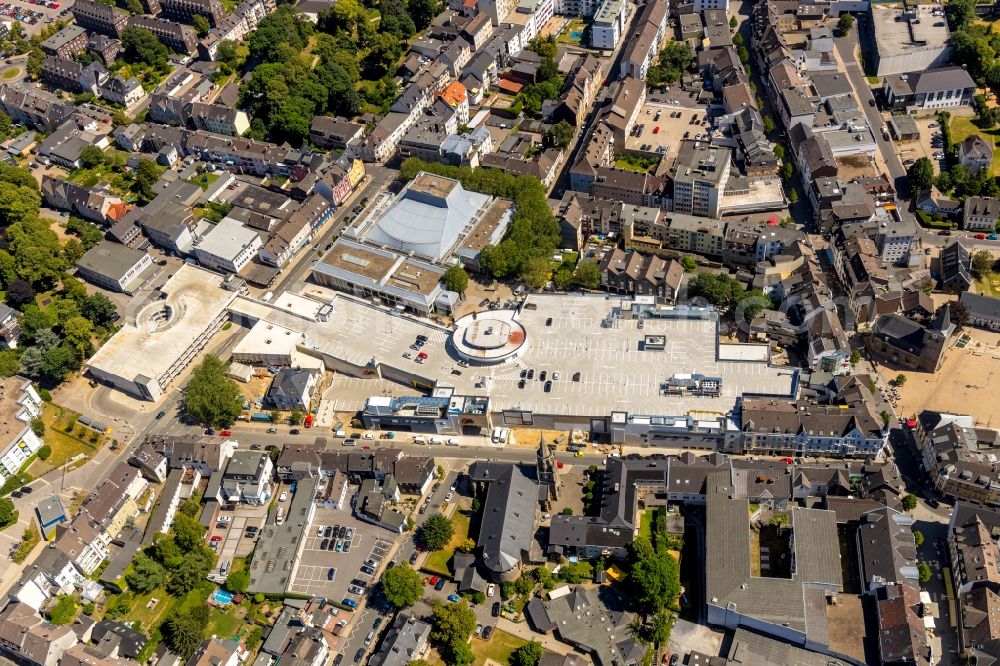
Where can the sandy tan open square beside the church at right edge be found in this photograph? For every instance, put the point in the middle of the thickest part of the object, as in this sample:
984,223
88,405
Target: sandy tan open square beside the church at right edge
962,386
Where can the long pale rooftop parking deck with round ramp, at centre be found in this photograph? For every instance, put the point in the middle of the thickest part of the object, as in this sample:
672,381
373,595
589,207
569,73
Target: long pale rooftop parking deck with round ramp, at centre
615,371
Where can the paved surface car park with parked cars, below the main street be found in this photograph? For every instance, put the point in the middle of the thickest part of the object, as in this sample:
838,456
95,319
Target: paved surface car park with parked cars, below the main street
367,542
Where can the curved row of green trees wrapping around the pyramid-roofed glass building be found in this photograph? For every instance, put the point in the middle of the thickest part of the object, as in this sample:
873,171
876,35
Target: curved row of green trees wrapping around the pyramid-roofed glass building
534,231
